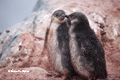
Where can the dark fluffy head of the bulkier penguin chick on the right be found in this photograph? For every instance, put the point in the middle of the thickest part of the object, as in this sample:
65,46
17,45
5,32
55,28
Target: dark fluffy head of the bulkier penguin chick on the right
77,18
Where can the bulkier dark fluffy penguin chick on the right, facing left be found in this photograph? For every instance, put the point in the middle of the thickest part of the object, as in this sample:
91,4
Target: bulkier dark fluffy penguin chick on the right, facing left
86,51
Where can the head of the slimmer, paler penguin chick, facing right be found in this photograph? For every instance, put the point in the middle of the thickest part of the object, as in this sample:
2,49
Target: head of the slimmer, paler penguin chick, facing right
58,16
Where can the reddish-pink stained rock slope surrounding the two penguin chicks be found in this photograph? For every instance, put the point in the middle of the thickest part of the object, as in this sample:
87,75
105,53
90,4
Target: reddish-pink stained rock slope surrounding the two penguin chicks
21,46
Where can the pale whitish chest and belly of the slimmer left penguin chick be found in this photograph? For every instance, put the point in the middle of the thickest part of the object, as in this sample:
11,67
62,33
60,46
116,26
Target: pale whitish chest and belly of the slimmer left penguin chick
53,46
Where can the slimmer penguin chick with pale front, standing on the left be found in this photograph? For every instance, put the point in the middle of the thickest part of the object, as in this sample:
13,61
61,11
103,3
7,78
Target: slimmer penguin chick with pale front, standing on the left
58,45
